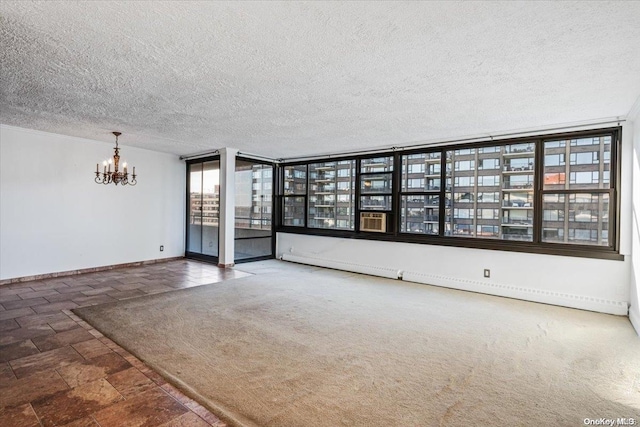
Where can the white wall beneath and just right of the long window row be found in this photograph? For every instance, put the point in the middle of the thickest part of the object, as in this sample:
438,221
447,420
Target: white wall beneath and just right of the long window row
591,284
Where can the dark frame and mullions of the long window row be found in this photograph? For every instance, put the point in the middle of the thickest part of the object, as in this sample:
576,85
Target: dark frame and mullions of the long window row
536,246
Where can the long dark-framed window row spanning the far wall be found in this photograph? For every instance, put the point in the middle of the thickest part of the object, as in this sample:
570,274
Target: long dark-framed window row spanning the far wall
549,194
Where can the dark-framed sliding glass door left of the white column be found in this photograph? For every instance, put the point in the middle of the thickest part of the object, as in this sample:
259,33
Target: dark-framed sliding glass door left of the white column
203,208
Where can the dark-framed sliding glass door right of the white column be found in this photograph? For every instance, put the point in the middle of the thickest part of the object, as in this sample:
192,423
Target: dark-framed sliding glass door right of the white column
253,213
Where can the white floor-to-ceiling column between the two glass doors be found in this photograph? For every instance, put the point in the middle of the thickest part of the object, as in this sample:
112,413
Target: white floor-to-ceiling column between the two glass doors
227,206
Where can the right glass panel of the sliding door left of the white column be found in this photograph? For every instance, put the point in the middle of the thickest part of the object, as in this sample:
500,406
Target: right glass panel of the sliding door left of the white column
210,207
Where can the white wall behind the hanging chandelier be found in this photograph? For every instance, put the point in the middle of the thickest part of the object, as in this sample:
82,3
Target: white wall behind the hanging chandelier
54,218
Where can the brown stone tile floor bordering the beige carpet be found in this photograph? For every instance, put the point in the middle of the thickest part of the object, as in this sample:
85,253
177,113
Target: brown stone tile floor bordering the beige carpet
55,369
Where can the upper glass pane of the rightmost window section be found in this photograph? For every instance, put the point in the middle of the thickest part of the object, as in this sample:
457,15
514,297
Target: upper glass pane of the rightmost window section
583,163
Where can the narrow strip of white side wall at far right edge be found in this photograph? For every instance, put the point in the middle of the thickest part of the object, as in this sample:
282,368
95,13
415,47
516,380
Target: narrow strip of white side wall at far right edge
634,291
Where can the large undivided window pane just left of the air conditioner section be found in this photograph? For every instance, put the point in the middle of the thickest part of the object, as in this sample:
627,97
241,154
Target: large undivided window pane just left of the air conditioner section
331,195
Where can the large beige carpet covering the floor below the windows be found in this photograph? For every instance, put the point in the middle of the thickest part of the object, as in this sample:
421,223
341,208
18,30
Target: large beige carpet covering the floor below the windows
300,346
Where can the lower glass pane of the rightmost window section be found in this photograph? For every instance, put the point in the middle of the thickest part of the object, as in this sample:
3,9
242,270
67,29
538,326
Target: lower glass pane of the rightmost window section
578,218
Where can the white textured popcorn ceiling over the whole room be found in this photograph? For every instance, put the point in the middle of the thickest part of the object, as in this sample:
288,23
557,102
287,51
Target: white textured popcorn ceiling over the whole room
283,79
